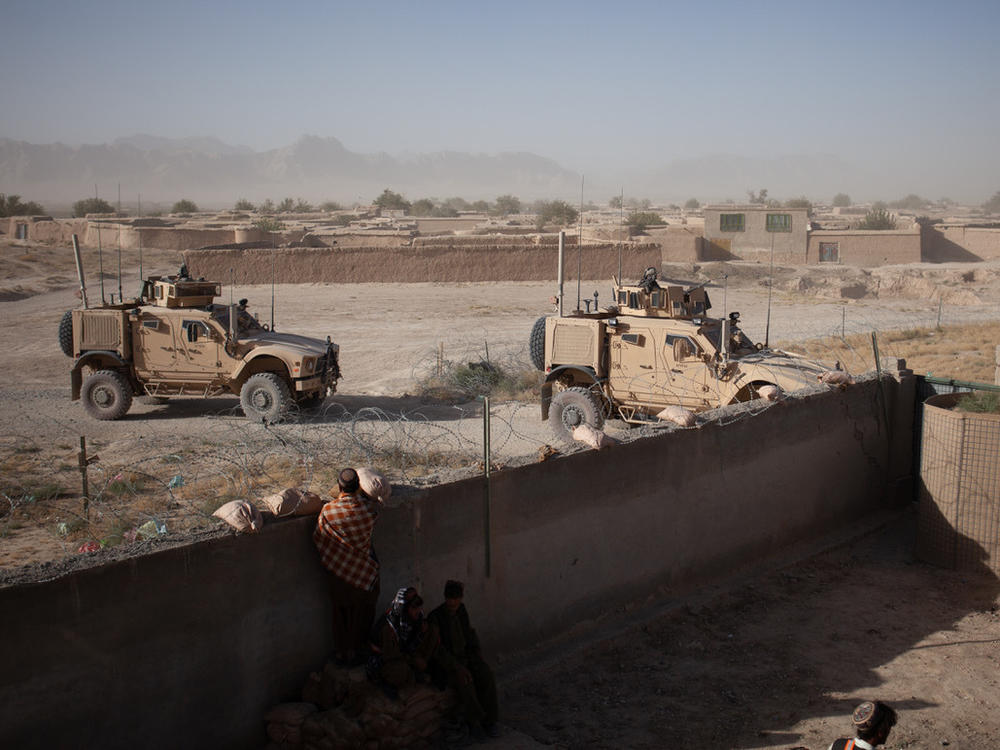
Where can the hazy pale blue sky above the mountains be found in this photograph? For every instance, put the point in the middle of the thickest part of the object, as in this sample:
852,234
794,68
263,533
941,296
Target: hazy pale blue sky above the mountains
592,85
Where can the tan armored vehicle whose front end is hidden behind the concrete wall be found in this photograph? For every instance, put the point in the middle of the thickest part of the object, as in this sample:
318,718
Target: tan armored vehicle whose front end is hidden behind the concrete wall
655,347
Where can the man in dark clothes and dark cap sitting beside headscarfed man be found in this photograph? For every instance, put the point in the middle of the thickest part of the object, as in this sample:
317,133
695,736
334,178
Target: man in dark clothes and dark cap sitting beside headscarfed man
458,662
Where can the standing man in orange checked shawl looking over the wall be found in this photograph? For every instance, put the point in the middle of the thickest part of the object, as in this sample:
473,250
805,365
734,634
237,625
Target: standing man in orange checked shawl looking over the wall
343,536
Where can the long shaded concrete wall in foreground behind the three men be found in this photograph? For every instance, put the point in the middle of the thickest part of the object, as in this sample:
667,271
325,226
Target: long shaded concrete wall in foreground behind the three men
189,646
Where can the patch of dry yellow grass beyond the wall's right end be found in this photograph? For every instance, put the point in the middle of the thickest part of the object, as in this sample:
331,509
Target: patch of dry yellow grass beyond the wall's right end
962,352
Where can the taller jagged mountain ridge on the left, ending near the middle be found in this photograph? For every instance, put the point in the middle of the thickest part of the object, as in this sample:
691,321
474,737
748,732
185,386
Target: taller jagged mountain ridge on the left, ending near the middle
209,171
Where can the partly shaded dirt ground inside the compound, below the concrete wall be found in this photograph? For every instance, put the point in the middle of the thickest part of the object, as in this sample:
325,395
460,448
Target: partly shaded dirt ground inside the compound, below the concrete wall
779,659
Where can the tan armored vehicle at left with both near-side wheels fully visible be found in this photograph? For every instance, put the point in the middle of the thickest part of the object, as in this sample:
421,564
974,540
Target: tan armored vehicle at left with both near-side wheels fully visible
174,340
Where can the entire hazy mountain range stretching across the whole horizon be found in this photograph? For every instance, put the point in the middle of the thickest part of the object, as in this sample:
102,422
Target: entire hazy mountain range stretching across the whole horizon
215,174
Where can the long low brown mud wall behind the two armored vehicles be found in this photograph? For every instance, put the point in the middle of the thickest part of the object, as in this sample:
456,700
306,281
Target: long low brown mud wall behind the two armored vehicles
449,261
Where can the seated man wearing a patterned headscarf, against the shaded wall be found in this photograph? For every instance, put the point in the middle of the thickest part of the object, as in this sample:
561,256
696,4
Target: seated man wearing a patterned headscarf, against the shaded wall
402,642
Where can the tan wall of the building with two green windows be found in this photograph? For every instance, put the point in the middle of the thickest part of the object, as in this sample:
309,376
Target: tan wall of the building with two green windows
755,242
